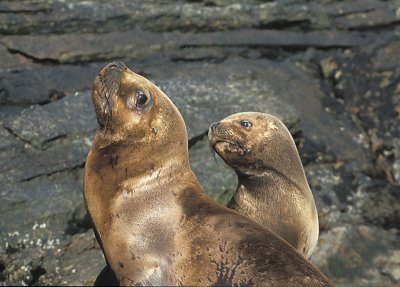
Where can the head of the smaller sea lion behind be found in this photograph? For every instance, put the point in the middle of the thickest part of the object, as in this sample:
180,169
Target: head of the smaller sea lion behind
251,142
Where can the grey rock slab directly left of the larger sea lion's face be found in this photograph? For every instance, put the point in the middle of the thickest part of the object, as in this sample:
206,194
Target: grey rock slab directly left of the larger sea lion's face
71,115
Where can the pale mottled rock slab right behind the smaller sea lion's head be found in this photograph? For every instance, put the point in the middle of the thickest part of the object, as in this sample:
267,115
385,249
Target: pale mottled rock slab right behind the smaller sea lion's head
281,88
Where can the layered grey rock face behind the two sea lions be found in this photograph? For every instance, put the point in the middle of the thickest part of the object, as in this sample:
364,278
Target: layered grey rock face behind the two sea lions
329,69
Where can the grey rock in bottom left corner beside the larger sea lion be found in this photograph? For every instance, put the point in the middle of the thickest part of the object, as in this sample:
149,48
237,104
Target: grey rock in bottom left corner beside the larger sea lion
64,261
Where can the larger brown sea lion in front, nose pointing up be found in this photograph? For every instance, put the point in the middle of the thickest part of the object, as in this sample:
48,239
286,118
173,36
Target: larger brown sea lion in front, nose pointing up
155,224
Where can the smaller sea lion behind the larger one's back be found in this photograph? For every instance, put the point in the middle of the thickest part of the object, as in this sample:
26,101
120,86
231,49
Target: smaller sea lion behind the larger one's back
272,186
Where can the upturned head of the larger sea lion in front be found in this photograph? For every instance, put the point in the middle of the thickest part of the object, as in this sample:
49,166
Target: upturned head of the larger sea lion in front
131,109
